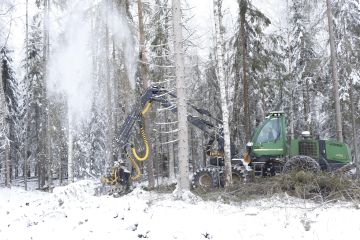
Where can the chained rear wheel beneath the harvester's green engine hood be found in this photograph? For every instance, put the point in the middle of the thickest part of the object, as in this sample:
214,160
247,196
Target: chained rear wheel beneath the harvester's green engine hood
301,162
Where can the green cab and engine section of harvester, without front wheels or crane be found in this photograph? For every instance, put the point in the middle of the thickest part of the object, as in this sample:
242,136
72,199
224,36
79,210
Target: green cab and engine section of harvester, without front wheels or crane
269,150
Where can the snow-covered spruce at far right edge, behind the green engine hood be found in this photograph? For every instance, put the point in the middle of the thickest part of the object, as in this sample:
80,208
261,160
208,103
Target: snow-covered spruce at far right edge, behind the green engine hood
346,30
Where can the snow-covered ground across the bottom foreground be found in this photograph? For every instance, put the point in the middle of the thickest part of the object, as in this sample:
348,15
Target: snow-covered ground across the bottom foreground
72,212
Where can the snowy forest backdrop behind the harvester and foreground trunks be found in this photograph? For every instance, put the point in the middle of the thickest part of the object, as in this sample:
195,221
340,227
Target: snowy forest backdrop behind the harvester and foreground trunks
71,70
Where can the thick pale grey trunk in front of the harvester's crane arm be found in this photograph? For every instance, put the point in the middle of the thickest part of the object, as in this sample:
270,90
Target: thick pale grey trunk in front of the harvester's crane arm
183,153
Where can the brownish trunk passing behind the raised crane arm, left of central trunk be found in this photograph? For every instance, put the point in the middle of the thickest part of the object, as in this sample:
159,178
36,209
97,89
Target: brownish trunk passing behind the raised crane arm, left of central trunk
145,84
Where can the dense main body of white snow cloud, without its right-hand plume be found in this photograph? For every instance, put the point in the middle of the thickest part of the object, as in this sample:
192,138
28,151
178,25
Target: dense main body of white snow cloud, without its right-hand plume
70,66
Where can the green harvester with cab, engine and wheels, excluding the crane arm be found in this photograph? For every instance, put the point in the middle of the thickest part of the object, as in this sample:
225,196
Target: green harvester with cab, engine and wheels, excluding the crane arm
271,151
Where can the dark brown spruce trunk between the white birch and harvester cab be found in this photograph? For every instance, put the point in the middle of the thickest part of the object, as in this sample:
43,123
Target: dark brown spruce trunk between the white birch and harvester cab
243,9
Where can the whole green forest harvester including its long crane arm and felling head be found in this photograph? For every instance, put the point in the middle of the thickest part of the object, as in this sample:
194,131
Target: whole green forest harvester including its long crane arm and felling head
269,152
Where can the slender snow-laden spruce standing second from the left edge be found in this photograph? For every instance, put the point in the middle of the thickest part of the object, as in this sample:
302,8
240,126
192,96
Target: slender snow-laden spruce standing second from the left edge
33,89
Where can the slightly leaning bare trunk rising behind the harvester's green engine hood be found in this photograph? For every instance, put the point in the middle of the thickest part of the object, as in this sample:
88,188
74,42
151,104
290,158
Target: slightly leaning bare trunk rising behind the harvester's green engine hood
339,132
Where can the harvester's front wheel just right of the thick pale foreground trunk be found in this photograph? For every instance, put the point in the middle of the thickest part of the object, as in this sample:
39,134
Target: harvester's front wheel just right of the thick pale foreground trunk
206,178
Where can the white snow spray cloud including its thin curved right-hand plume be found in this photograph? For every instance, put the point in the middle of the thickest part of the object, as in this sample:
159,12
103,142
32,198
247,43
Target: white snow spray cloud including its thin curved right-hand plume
71,67
